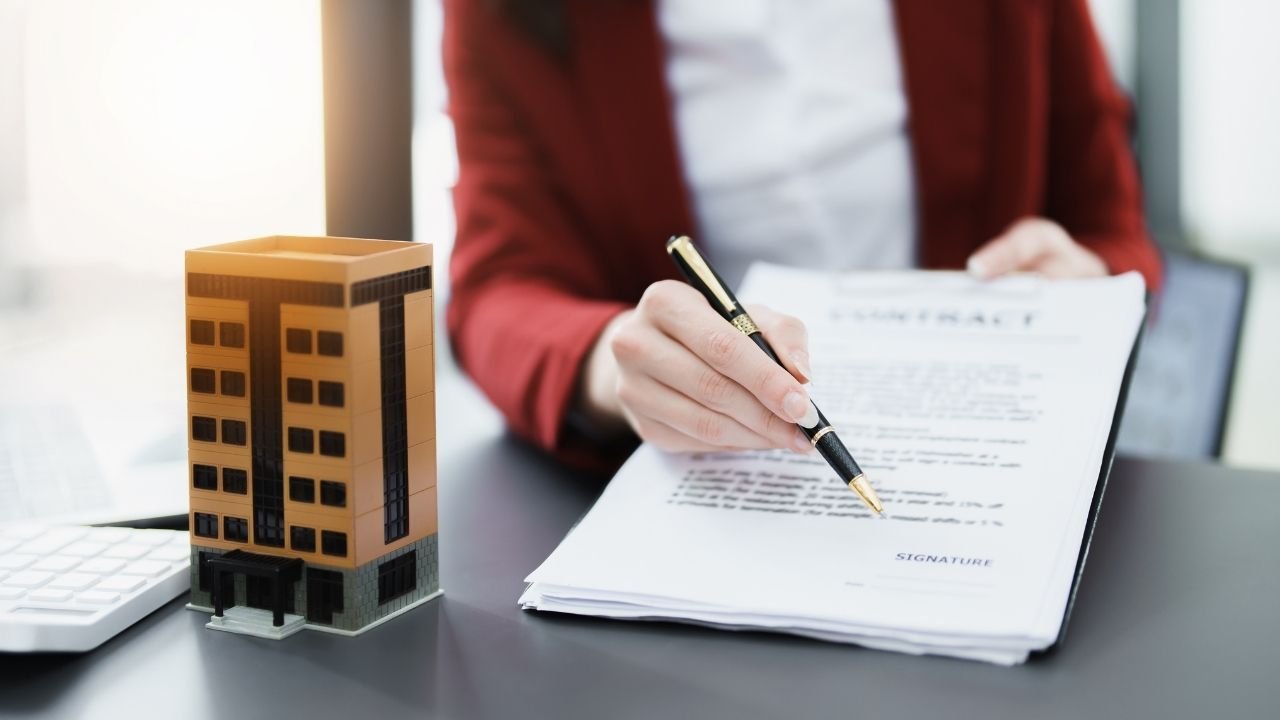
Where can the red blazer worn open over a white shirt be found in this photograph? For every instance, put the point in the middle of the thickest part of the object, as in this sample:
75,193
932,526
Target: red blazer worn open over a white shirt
570,180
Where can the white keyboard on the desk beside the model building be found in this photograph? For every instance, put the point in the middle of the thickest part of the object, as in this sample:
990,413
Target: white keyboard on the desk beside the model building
72,589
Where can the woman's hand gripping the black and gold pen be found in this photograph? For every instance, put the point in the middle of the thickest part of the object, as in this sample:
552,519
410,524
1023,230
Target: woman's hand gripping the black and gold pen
685,380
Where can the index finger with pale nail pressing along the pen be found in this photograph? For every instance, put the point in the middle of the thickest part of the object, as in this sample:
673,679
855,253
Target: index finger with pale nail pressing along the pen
680,313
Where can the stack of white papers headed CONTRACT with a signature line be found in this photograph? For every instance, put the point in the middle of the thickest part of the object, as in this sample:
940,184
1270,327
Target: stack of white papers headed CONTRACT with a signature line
981,413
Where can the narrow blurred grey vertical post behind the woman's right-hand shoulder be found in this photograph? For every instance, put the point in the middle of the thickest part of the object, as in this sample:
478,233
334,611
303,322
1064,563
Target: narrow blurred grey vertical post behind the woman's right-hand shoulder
1159,139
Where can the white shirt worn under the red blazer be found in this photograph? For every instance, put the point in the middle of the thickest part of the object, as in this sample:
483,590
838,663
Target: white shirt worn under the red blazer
792,122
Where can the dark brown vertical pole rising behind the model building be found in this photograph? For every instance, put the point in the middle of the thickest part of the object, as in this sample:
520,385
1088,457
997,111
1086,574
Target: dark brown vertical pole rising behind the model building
368,117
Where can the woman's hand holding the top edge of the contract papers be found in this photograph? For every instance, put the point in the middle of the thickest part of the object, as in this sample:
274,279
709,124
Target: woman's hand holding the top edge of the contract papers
1036,245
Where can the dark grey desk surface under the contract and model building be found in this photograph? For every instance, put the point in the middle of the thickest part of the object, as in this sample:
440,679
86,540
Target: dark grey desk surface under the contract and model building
1176,619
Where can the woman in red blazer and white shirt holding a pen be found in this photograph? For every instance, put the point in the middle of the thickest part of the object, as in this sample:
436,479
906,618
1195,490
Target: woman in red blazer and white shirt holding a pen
843,135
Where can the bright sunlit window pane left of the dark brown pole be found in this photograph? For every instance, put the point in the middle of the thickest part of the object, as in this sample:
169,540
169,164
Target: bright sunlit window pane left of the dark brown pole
153,126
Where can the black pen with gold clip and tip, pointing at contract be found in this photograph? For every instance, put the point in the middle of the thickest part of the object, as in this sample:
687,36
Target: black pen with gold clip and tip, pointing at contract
824,438
